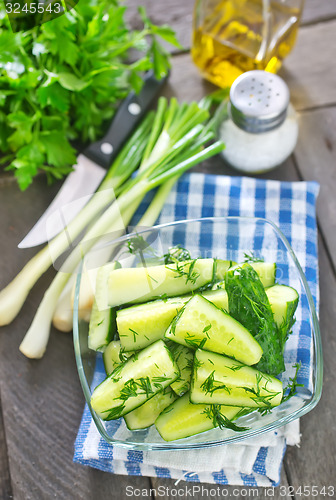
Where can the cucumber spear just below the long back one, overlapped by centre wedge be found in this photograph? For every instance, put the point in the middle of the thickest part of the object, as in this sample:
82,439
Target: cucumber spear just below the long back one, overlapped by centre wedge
143,324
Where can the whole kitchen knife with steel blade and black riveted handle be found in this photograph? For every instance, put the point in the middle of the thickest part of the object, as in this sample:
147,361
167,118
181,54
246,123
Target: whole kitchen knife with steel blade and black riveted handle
91,165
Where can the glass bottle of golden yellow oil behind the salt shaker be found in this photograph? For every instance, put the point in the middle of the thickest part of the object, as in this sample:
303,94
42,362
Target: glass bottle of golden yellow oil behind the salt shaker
234,36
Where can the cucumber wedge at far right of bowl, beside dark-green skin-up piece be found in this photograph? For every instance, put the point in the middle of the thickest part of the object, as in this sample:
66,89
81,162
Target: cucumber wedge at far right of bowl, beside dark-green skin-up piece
284,301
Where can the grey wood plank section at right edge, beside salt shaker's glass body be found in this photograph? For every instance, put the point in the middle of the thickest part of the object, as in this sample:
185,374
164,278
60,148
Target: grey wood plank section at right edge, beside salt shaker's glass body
315,155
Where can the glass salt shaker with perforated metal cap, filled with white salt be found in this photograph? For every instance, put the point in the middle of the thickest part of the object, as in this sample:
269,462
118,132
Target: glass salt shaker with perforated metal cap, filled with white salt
261,128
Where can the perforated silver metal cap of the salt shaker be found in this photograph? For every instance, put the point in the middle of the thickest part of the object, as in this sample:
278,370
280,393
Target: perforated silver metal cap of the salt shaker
258,101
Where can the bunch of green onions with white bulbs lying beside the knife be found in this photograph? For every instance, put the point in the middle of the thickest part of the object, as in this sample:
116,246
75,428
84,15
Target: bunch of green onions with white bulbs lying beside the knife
176,143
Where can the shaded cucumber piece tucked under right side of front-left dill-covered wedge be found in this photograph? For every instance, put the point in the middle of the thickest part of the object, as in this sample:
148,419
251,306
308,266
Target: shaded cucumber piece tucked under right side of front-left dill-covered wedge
146,414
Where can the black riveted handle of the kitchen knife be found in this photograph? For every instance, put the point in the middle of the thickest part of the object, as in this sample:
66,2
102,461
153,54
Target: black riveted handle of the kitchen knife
128,115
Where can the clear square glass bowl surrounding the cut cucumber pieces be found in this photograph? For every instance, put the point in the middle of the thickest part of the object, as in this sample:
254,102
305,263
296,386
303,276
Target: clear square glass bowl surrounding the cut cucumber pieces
227,238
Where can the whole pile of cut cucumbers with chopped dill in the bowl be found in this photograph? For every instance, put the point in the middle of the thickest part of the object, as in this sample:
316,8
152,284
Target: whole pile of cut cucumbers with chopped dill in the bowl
191,344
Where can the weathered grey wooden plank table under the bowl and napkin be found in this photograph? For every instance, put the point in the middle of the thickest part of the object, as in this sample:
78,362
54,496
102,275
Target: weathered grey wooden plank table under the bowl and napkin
42,401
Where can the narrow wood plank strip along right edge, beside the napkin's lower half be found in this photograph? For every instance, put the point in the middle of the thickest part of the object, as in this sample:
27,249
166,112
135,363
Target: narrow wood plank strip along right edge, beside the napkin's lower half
314,462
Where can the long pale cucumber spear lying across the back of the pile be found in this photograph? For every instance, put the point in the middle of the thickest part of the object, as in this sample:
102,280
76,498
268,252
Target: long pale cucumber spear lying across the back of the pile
132,285
